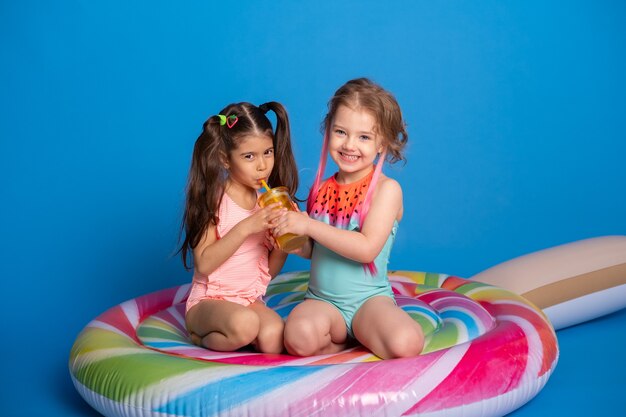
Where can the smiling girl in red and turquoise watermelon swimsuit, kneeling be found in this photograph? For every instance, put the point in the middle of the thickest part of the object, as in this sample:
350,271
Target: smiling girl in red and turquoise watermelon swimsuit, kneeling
352,221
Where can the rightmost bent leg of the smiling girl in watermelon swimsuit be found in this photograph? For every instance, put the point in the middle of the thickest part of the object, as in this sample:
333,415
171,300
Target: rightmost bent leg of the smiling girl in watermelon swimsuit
387,330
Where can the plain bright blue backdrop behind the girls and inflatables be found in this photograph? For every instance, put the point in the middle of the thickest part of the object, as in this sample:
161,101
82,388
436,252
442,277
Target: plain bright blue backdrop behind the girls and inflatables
516,115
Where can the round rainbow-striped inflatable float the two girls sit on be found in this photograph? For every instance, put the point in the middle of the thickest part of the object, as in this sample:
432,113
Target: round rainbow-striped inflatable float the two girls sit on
488,351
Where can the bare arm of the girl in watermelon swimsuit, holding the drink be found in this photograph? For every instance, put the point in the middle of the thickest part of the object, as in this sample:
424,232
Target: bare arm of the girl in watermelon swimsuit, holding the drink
361,246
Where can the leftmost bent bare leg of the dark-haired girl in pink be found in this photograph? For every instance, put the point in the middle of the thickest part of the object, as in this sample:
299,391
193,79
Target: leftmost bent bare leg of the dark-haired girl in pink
222,325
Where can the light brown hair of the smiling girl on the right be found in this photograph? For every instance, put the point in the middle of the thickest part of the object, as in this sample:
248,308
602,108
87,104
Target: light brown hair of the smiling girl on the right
362,93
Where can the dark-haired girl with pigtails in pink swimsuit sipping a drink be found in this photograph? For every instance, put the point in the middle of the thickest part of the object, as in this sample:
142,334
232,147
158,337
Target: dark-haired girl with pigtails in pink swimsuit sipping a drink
227,233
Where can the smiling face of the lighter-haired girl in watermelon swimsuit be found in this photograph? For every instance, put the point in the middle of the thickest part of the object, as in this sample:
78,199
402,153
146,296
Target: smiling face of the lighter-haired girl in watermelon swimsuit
353,143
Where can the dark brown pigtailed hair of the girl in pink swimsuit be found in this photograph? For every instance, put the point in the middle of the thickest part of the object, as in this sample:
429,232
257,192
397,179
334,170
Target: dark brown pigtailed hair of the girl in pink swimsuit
207,175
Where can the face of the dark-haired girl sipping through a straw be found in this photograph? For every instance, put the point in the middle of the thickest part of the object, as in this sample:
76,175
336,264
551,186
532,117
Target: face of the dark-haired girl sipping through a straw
251,162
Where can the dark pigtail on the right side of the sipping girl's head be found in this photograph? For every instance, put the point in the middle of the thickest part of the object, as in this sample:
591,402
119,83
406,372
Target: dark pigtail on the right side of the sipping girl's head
285,171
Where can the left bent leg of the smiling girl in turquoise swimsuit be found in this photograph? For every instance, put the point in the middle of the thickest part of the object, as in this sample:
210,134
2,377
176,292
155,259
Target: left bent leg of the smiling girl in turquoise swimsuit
315,328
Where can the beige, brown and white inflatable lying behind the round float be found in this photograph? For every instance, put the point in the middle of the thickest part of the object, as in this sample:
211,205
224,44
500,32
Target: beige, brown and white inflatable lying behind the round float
572,283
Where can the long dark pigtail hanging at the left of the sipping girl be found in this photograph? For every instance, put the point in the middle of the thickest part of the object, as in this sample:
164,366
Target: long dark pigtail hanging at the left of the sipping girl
205,186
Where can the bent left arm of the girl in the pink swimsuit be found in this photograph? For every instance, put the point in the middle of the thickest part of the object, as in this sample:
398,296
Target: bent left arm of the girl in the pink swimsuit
212,252
